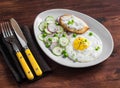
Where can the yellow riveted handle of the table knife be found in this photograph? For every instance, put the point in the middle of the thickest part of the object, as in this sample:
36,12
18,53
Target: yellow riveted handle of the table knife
33,62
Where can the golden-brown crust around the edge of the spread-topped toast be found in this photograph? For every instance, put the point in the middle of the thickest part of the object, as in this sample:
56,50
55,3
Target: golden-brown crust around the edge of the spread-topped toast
78,31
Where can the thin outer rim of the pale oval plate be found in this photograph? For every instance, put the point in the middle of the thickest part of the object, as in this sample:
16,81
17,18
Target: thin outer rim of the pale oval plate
91,64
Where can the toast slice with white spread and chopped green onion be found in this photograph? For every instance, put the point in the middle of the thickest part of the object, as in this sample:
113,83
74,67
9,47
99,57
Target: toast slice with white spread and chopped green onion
73,24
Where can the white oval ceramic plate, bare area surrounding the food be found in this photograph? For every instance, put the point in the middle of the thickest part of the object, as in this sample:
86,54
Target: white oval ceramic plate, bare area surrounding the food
94,25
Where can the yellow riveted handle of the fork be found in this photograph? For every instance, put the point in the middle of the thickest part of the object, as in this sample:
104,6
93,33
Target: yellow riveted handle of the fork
24,65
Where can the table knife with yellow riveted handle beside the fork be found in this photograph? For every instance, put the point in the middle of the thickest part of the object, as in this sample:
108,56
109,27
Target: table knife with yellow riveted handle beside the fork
23,42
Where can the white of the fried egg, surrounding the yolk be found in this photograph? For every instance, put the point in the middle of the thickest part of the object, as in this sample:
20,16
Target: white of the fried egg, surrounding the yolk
88,54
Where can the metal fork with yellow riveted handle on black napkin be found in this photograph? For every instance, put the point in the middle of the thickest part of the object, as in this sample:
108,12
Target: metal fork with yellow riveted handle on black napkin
9,37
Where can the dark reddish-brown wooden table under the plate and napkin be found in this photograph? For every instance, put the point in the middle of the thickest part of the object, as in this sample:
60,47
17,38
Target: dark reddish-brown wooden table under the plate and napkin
104,75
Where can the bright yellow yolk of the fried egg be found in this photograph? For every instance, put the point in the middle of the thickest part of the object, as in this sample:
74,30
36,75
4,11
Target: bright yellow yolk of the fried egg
81,43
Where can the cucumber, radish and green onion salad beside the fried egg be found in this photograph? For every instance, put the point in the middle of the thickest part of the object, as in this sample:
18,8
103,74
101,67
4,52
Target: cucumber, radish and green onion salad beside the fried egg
54,36
